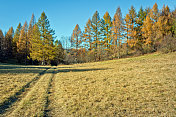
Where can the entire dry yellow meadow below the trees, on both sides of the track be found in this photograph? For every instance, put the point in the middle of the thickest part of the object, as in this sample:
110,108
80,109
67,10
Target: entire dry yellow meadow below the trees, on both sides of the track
140,86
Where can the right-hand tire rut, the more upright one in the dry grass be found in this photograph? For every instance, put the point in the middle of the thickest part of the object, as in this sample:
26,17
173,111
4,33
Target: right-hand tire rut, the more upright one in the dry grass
50,96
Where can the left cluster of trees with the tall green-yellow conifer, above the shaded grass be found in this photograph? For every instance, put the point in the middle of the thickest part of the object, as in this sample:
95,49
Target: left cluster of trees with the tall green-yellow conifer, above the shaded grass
31,44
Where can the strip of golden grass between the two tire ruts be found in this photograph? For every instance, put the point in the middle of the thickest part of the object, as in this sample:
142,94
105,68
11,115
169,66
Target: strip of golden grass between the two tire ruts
33,104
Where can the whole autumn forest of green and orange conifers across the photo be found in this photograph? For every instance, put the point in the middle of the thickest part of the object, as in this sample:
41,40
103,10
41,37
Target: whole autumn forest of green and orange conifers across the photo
146,31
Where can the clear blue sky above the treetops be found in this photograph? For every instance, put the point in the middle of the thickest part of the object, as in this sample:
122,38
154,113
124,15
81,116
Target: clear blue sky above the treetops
65,14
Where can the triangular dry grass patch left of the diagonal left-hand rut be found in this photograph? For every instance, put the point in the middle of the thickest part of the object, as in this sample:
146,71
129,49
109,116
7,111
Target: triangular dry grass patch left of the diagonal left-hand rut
14,77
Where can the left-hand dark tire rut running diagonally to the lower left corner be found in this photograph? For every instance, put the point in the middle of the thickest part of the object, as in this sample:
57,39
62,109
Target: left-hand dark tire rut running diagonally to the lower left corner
7,106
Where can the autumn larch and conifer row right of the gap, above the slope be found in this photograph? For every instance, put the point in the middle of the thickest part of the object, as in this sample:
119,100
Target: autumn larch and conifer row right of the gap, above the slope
145,31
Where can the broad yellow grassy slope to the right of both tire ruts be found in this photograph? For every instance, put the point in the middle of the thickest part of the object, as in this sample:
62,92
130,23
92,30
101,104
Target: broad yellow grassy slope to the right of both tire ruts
143,86
